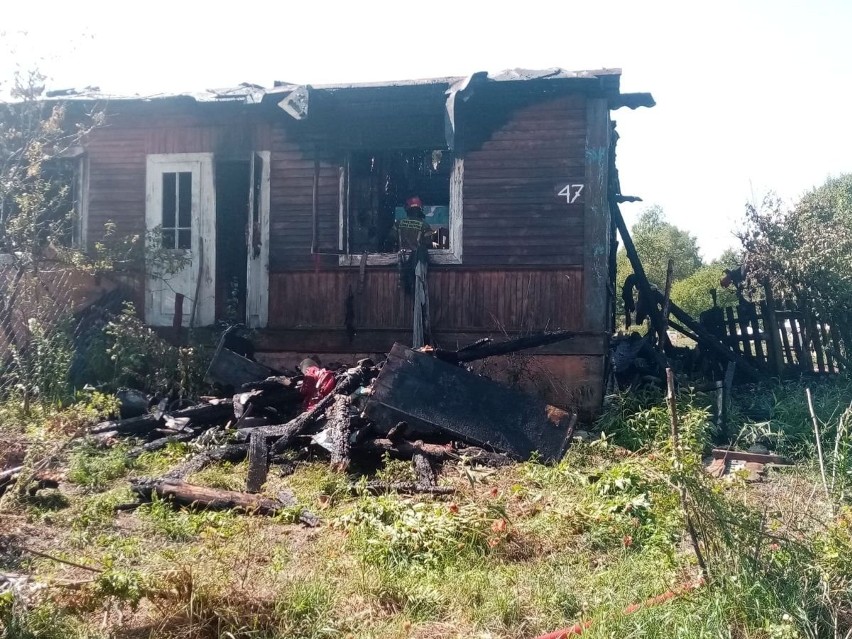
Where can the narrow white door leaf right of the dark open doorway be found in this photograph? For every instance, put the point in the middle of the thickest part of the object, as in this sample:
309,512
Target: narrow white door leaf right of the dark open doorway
257,268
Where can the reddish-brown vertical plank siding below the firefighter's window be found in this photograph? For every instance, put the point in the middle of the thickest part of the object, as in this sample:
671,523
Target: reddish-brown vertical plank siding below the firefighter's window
460,299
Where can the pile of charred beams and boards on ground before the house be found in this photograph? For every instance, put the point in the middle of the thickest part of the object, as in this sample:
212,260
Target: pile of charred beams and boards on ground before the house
418,405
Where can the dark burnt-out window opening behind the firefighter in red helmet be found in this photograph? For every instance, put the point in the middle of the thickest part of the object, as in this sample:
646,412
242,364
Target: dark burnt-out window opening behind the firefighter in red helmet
380,182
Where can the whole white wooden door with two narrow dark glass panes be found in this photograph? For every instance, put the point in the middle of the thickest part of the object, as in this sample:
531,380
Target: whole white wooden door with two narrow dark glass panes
180,213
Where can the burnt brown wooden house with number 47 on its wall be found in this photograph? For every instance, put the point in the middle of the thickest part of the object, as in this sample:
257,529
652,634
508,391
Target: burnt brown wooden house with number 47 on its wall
285,200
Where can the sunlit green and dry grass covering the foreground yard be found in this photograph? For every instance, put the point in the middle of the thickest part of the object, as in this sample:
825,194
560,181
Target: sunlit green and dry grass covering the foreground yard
514,553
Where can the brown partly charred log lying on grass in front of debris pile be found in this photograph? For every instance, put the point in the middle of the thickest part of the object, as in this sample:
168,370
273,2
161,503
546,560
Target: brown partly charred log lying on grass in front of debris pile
185,494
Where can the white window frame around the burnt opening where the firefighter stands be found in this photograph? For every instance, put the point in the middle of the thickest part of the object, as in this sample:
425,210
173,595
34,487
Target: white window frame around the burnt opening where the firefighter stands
452,255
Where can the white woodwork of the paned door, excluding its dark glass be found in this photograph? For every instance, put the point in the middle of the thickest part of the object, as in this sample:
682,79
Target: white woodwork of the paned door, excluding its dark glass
197,281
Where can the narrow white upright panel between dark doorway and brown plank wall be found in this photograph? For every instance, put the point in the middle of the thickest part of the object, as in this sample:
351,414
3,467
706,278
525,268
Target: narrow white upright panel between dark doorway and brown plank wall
257,270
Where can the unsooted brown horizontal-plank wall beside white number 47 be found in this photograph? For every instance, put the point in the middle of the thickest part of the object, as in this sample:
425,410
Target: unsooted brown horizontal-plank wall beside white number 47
513,214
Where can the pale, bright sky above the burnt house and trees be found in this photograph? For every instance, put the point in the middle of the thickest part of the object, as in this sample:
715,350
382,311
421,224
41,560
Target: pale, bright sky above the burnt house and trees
751,95
